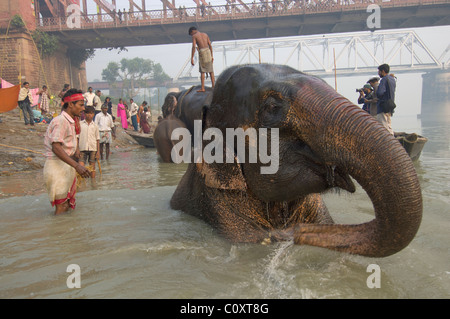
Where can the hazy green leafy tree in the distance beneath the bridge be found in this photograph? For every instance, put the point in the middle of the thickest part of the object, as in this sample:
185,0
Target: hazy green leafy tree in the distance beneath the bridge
134,74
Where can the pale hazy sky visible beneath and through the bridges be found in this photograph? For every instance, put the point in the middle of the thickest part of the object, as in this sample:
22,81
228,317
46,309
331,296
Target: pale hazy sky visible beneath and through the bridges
172,58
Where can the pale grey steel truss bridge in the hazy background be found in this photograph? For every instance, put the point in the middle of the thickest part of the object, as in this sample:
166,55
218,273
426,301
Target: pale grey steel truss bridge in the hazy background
348,54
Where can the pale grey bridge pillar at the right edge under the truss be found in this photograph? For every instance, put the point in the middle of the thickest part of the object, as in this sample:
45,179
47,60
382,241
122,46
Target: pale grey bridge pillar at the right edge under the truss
435,95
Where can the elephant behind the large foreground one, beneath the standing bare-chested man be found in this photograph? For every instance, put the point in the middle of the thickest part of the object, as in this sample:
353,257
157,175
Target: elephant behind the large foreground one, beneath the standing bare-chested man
179,110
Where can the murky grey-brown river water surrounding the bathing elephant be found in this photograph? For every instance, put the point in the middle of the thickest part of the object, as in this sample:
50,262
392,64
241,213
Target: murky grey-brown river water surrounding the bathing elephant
128,243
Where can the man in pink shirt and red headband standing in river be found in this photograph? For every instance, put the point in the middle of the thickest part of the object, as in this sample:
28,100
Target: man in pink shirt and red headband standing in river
61,148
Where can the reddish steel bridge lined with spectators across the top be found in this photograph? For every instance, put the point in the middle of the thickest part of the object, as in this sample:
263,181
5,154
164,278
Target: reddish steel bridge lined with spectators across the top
232,20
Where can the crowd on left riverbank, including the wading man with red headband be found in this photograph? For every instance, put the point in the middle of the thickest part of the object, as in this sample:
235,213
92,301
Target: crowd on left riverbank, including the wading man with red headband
79,136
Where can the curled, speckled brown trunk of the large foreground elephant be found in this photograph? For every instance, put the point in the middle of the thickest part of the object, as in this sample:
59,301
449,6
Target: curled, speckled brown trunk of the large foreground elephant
347,138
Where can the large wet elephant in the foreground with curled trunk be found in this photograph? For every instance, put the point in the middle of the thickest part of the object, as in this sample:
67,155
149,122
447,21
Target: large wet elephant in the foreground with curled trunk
325,141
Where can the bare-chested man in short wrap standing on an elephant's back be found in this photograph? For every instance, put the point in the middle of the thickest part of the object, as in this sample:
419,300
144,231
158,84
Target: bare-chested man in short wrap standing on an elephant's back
201,40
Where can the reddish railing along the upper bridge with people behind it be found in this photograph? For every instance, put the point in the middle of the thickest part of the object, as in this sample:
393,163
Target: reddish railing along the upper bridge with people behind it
221,12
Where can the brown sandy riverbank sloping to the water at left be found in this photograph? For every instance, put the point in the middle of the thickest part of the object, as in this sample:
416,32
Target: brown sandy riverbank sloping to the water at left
22,147
